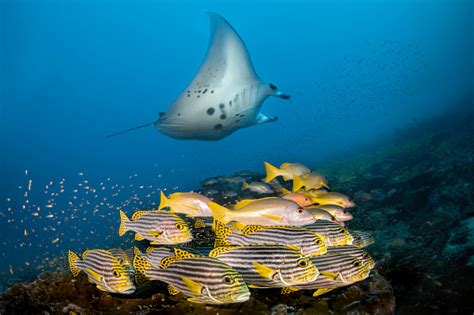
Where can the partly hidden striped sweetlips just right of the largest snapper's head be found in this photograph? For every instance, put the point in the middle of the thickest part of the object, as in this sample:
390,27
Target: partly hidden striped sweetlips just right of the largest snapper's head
333,233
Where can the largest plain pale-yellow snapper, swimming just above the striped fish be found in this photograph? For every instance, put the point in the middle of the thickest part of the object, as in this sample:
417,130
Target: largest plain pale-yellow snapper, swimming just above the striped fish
264,211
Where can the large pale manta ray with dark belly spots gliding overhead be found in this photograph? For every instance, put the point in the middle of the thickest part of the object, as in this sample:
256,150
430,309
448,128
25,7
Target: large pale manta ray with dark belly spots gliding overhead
225,95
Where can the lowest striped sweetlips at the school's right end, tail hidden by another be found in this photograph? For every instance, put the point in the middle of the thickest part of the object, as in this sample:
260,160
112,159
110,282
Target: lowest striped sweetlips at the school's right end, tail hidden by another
339,270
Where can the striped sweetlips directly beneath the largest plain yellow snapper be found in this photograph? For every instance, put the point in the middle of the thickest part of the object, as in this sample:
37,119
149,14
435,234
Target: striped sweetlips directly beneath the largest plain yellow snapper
309,243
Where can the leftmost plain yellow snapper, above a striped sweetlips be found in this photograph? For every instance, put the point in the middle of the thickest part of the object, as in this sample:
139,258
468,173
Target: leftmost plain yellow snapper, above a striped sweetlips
189,203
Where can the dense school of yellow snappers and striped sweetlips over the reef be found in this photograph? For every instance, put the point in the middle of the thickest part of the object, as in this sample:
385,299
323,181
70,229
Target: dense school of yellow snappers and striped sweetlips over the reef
296,241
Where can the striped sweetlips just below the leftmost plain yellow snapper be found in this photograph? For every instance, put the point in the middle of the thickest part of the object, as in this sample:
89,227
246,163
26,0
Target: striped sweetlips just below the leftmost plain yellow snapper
159,227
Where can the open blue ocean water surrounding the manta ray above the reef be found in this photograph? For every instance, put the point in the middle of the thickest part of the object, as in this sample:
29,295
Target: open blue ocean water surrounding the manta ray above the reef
75,71
